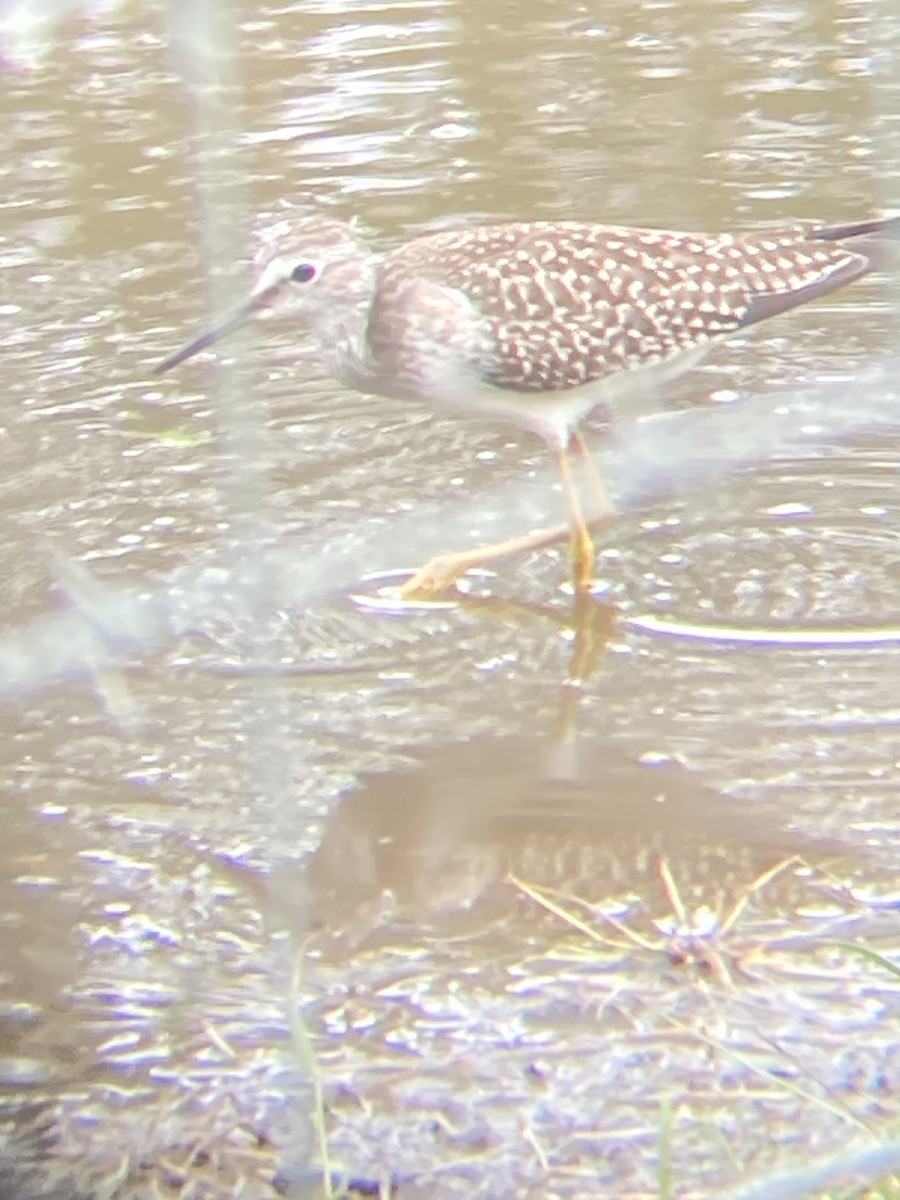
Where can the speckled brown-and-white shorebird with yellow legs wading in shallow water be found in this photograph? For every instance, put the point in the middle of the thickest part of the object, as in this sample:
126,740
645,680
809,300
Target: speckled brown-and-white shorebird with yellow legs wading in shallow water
537,325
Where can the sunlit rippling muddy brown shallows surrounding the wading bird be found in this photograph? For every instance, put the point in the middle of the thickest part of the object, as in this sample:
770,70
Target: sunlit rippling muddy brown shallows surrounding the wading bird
531,899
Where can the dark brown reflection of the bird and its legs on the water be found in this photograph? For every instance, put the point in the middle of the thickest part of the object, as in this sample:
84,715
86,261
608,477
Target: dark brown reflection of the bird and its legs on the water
449,842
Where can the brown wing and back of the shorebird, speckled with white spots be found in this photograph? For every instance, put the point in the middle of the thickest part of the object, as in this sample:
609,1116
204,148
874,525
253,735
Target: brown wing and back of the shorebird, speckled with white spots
561,305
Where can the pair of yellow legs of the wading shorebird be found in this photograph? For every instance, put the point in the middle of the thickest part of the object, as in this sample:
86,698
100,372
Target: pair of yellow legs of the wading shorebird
442,572
